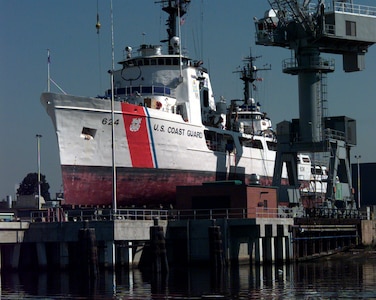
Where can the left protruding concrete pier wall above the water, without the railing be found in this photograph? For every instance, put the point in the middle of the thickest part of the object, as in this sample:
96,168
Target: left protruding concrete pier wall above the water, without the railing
57,243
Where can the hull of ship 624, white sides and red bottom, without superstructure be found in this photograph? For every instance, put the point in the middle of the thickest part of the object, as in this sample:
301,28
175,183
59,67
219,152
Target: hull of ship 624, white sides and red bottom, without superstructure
154,152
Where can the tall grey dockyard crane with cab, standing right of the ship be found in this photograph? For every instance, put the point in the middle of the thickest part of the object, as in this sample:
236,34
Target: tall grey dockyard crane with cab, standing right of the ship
309,28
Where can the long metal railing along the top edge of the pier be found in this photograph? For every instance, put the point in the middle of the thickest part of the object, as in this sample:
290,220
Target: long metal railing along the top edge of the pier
79,215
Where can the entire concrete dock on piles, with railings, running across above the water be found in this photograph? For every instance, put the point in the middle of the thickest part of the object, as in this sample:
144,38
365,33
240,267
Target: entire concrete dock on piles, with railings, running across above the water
193,237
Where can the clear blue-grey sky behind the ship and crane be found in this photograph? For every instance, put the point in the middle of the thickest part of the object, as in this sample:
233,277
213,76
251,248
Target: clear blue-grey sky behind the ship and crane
219,32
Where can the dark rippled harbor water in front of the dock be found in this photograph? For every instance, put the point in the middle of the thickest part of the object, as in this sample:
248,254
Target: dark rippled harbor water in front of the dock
344,276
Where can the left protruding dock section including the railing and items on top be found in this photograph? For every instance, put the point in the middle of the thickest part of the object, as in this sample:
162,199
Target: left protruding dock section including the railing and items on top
46,240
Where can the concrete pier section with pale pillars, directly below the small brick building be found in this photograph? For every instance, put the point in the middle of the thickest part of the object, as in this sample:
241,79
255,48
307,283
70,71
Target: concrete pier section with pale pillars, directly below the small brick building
244,240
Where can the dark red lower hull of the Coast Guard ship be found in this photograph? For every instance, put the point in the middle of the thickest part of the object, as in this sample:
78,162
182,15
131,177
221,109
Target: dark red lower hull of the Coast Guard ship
92,186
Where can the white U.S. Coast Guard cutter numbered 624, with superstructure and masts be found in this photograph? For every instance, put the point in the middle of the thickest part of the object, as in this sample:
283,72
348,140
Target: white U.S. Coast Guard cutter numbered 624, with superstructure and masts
168,129
